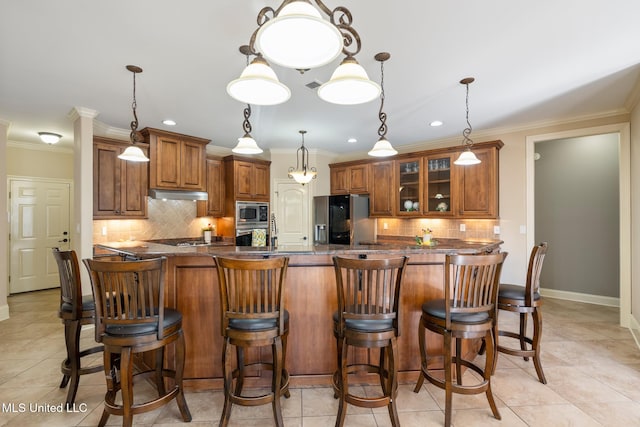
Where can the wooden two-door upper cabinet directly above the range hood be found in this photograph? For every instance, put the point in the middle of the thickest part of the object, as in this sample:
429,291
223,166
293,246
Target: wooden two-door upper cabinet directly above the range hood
177,162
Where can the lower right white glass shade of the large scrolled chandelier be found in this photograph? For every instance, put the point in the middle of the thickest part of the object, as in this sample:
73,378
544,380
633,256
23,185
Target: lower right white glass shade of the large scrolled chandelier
349,85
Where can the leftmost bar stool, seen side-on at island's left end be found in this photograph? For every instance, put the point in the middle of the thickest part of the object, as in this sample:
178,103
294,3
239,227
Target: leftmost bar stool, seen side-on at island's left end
75,311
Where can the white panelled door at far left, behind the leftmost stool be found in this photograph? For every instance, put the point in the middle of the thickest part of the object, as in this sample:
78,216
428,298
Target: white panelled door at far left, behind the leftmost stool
39,222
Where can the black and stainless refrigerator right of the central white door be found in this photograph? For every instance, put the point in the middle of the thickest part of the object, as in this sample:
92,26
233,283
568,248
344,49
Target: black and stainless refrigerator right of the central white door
342,220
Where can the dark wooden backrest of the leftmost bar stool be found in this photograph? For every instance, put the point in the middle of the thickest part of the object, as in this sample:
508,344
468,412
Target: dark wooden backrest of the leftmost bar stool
70,286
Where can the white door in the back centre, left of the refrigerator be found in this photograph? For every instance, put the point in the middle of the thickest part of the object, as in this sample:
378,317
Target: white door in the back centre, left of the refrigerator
292,213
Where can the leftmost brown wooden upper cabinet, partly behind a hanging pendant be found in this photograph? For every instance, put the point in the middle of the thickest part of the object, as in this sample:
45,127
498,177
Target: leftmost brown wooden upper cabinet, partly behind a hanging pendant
119,186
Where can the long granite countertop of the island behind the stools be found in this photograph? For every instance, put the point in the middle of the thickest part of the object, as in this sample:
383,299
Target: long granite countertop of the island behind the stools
145,249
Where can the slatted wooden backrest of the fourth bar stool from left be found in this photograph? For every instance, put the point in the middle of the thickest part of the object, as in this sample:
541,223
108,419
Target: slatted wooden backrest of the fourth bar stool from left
369,289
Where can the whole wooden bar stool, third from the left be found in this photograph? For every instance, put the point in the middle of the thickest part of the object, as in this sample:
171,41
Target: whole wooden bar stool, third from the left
253,315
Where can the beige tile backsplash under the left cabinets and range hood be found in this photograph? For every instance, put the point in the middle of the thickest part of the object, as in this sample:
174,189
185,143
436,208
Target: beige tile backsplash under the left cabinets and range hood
167,219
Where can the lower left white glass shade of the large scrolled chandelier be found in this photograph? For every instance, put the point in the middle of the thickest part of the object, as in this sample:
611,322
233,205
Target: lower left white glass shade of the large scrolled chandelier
258,85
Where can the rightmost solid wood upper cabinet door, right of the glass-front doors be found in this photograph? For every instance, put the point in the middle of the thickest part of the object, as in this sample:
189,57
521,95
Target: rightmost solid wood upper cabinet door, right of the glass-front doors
478,186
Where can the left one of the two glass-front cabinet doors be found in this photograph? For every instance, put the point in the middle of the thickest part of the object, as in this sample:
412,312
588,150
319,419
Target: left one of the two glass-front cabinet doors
409,201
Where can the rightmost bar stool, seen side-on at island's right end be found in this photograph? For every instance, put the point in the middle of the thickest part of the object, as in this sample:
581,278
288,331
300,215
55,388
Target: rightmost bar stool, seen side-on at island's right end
525,300
